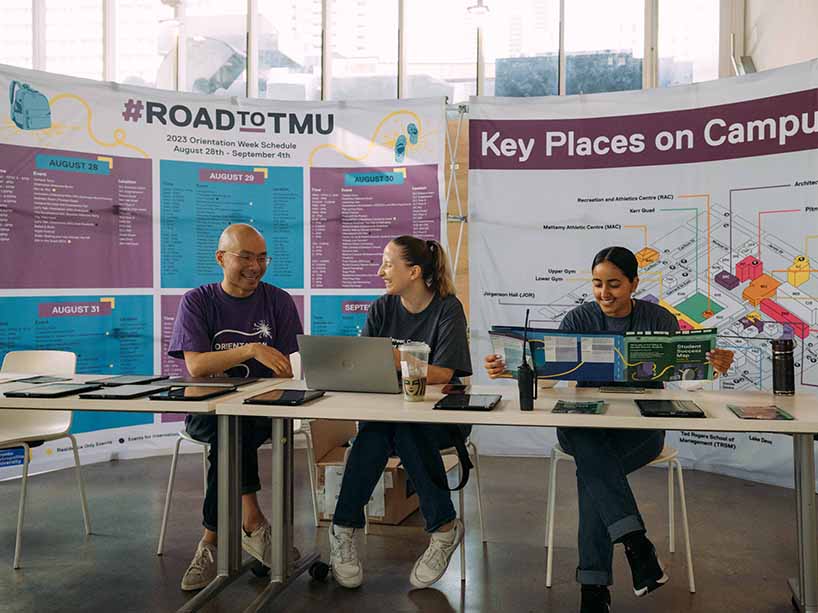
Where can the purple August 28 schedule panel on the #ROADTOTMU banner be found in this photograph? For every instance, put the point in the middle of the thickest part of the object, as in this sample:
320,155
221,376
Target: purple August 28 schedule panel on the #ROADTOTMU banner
63,229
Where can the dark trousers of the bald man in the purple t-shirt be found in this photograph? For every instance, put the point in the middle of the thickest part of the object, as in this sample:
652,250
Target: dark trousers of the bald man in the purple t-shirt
254,431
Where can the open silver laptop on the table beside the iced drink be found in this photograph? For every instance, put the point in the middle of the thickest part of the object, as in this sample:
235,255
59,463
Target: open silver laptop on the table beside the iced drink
348,364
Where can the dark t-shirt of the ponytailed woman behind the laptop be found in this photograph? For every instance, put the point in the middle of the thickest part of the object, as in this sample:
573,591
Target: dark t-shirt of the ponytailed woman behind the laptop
441,325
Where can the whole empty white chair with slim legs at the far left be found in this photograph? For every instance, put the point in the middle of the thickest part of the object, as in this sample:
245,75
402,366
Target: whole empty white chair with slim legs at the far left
23,427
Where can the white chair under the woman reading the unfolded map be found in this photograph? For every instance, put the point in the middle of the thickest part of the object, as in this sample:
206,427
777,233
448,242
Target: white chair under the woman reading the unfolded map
668,456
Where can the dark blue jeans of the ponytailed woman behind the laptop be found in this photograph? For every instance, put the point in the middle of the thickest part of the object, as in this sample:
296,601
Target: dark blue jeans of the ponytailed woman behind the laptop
376,441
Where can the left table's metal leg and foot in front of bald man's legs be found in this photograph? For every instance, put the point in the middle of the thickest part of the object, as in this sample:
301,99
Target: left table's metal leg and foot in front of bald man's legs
228,554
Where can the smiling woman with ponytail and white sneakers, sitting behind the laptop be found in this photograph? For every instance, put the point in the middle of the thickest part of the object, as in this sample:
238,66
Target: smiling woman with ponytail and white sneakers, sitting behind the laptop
419,305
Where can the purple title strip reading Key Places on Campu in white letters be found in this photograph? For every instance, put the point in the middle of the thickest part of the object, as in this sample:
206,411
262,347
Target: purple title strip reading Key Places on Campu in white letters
767,126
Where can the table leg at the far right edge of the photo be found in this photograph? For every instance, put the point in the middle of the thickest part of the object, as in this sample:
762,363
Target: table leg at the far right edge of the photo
805,587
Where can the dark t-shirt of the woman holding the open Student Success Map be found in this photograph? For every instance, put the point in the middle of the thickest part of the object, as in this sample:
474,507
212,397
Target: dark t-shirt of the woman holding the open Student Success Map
645,317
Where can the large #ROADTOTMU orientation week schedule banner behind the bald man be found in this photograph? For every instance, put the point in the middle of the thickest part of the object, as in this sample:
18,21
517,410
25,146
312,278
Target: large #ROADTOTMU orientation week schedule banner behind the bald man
112,199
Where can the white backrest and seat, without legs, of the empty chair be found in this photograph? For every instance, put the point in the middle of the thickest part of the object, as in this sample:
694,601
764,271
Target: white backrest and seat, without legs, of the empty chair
42,362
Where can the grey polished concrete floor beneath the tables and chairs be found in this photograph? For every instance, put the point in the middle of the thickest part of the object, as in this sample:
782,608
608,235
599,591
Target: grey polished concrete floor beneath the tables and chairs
743,546
